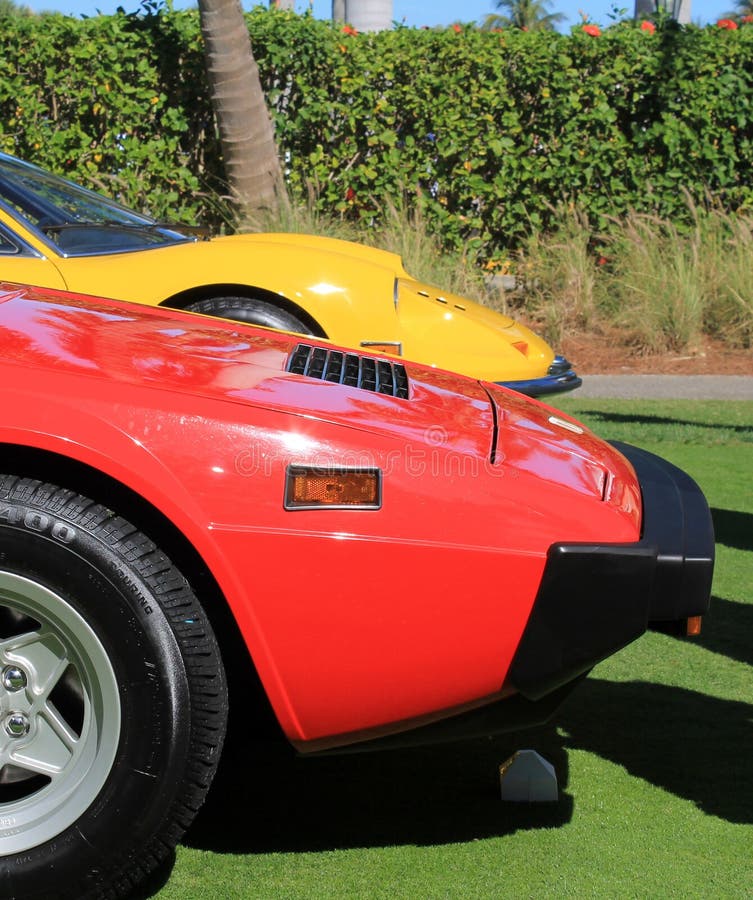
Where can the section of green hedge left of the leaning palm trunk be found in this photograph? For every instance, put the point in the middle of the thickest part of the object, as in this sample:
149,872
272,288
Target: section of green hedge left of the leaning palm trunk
115,102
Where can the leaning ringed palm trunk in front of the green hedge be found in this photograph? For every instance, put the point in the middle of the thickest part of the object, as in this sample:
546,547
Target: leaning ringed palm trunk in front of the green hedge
252,165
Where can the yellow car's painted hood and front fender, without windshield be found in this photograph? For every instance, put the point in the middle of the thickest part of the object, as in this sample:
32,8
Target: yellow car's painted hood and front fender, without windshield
359,296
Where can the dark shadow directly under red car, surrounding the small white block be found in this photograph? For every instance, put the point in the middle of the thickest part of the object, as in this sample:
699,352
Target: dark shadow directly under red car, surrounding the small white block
268,799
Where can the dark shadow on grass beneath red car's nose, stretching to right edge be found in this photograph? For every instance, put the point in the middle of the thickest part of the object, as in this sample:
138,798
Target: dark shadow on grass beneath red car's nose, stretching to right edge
266,799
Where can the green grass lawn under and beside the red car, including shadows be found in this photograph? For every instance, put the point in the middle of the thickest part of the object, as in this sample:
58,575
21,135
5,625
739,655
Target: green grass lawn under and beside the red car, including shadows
654,754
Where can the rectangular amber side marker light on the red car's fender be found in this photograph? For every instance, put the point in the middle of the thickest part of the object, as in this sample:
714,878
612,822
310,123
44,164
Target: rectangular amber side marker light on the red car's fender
309,487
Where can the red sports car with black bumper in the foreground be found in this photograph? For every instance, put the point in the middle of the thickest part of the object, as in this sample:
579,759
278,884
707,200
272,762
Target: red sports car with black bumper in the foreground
397,547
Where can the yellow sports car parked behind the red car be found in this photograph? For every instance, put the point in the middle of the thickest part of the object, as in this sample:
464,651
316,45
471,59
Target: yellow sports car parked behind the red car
56,234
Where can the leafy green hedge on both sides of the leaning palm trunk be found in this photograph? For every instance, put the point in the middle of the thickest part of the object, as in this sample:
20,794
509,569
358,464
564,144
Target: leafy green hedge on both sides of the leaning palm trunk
490,130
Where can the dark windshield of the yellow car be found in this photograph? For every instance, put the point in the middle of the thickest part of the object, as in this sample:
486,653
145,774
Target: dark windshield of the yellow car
77,220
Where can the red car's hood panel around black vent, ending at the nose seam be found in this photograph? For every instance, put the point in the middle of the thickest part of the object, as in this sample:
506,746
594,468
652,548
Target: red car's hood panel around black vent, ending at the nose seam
176,351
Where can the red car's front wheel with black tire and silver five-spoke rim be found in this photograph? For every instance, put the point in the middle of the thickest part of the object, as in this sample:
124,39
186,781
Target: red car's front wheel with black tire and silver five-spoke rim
110,682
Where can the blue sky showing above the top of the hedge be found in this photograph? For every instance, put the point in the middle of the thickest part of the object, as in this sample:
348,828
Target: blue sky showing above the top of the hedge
419,12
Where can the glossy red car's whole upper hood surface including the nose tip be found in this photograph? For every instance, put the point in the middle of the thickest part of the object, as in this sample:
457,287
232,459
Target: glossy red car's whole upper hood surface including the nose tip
187,353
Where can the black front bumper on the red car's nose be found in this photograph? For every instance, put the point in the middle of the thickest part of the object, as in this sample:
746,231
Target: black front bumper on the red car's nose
596,598
